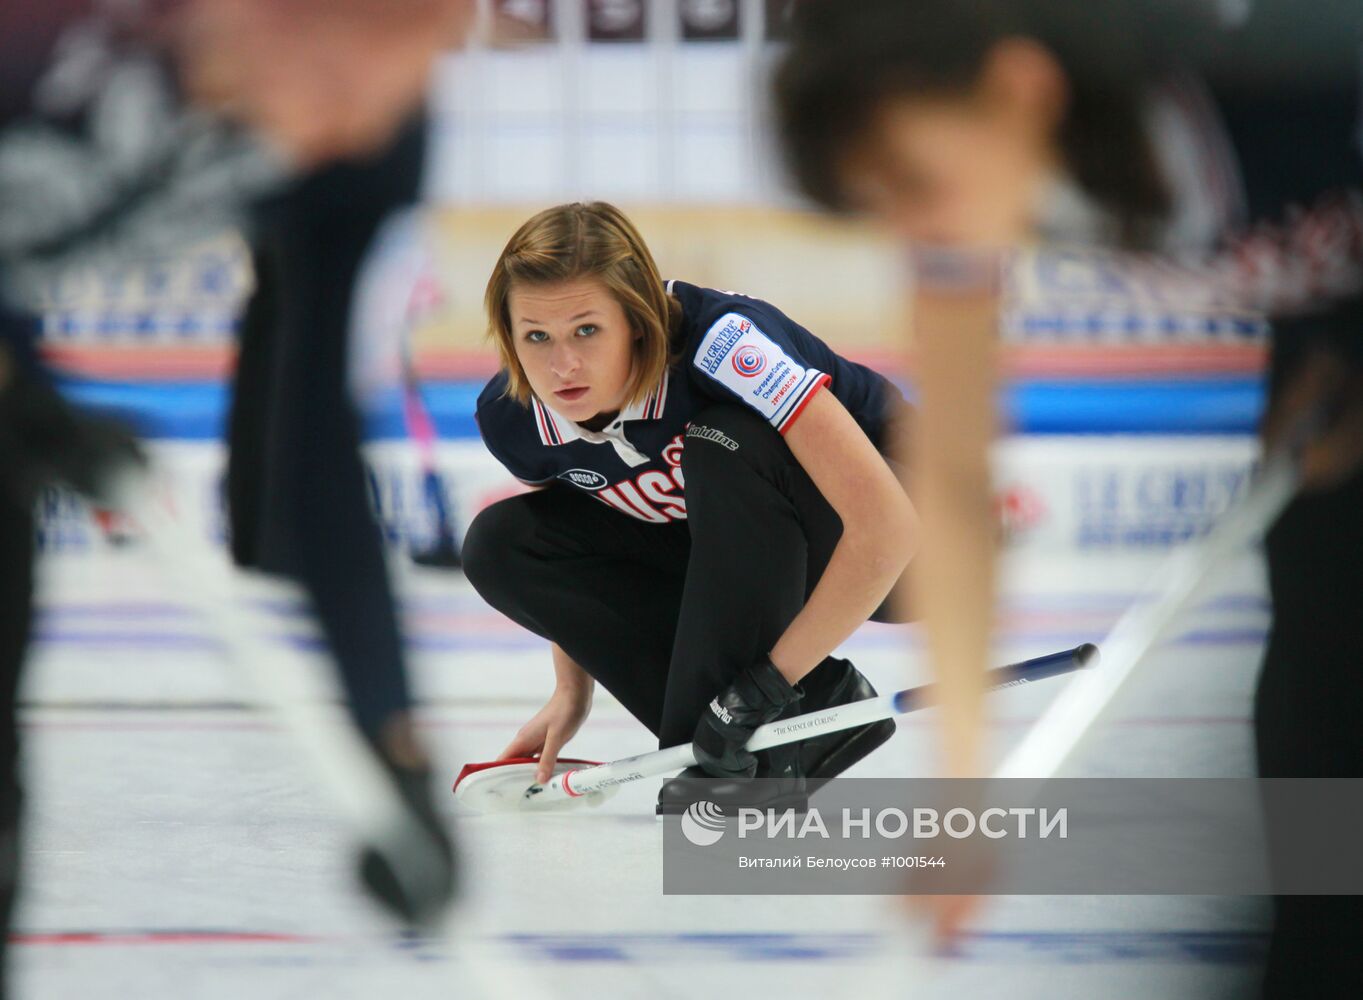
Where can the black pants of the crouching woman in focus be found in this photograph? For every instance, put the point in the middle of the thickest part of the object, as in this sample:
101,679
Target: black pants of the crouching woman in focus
666,615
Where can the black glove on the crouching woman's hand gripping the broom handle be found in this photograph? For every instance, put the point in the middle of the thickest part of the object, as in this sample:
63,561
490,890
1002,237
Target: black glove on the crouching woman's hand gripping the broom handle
757,697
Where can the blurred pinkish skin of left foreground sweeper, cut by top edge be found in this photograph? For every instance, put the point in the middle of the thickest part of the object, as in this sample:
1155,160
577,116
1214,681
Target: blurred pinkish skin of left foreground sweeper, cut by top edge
324,80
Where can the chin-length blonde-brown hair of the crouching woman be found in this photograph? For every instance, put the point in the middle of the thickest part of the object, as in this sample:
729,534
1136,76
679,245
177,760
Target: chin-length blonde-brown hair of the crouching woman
587,240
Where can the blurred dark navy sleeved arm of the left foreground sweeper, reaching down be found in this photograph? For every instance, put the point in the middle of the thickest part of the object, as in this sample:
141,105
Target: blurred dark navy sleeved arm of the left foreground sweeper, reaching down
296,487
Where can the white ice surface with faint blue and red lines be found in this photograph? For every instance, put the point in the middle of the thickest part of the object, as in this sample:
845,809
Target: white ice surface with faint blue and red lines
178,848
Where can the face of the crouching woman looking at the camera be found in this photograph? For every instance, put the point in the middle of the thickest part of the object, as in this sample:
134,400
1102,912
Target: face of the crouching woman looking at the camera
576,345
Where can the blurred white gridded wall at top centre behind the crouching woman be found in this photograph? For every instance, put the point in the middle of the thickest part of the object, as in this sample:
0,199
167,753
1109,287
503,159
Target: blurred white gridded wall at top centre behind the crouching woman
655,122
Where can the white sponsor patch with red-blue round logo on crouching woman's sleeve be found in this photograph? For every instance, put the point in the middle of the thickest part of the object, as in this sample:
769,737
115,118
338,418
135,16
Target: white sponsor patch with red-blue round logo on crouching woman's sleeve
757,370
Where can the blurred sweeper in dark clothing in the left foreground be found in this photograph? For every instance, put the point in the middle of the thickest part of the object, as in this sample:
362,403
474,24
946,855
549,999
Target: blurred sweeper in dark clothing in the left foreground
132,129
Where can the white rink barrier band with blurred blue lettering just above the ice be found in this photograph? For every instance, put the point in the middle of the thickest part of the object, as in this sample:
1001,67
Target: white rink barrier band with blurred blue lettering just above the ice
1057,494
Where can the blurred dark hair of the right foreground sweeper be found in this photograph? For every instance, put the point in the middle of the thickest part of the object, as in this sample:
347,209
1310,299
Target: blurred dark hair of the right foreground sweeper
848,58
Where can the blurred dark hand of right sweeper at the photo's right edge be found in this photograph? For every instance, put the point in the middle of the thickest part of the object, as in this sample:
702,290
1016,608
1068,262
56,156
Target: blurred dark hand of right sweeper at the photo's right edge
1323,405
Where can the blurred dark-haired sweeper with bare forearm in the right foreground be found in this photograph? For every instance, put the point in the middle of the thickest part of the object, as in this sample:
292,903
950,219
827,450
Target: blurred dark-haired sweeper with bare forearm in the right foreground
1219,137
